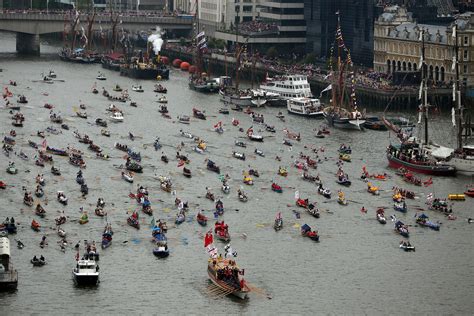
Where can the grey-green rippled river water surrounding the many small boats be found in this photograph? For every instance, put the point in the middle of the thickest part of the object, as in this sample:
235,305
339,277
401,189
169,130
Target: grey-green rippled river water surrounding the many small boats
357,268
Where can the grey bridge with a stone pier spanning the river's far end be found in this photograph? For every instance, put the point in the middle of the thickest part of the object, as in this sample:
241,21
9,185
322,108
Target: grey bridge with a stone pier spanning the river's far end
29,26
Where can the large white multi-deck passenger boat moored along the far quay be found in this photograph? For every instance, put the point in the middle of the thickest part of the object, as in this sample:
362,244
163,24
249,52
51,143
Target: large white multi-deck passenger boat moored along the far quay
288,86
